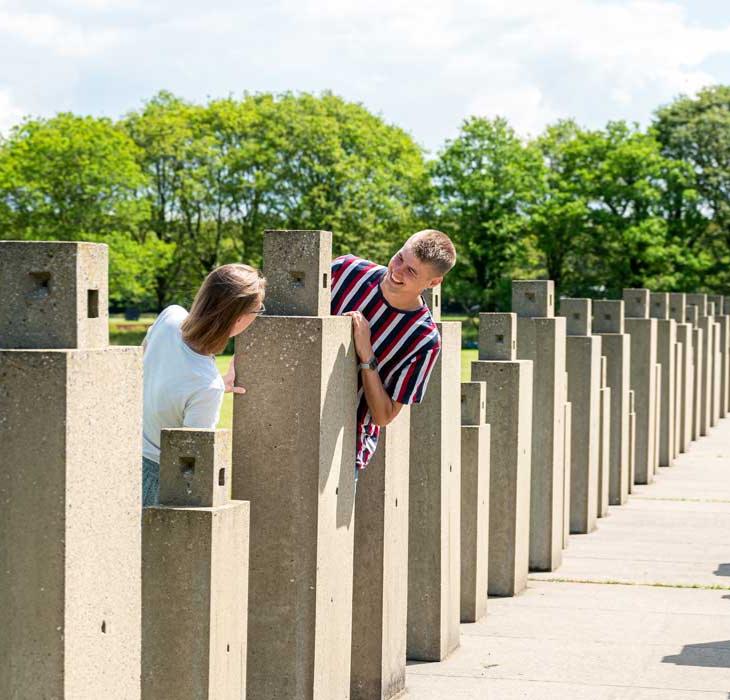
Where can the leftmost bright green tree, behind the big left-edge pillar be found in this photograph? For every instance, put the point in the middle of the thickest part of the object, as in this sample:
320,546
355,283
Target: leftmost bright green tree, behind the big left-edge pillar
74,178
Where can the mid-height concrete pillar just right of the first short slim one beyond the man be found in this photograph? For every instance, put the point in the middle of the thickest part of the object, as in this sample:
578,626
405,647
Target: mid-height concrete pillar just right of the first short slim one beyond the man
509,413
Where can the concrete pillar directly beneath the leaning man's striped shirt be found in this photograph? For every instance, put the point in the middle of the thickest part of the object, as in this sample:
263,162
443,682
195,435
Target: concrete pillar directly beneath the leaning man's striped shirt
380,575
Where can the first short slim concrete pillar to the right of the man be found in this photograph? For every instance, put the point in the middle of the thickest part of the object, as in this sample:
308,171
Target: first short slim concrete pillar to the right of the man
475,439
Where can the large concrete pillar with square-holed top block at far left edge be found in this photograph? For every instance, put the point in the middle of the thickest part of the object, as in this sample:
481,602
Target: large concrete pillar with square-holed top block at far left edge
70,480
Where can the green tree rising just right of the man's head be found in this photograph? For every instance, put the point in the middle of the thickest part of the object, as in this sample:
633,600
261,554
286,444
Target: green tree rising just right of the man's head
486,181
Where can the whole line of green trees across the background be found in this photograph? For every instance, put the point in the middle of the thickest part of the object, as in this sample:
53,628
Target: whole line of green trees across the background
177,188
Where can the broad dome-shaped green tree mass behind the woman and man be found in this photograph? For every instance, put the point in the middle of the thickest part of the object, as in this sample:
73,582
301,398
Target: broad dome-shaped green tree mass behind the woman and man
220,174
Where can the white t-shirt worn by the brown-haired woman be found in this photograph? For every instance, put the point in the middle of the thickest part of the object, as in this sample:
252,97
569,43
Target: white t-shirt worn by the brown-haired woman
182,388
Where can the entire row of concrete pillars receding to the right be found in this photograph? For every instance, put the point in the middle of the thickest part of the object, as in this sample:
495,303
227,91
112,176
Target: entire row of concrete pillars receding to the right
267,572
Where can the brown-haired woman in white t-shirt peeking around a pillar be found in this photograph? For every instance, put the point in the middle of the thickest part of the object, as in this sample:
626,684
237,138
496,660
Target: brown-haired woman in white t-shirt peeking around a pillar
182,385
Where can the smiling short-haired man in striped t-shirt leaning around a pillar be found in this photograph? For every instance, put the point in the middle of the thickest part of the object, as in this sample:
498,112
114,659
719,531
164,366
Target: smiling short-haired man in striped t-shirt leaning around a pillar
396,339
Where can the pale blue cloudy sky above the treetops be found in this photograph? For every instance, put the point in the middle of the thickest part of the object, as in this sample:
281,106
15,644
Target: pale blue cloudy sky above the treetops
423,64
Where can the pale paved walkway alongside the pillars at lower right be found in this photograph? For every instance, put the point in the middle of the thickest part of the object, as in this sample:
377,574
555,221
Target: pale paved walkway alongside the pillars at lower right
639,610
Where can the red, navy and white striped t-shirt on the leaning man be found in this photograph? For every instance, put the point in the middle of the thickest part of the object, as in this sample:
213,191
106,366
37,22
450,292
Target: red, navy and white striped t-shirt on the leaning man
405,343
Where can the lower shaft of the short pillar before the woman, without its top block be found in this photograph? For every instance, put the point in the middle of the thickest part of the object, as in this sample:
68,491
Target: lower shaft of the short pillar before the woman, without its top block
194,594
